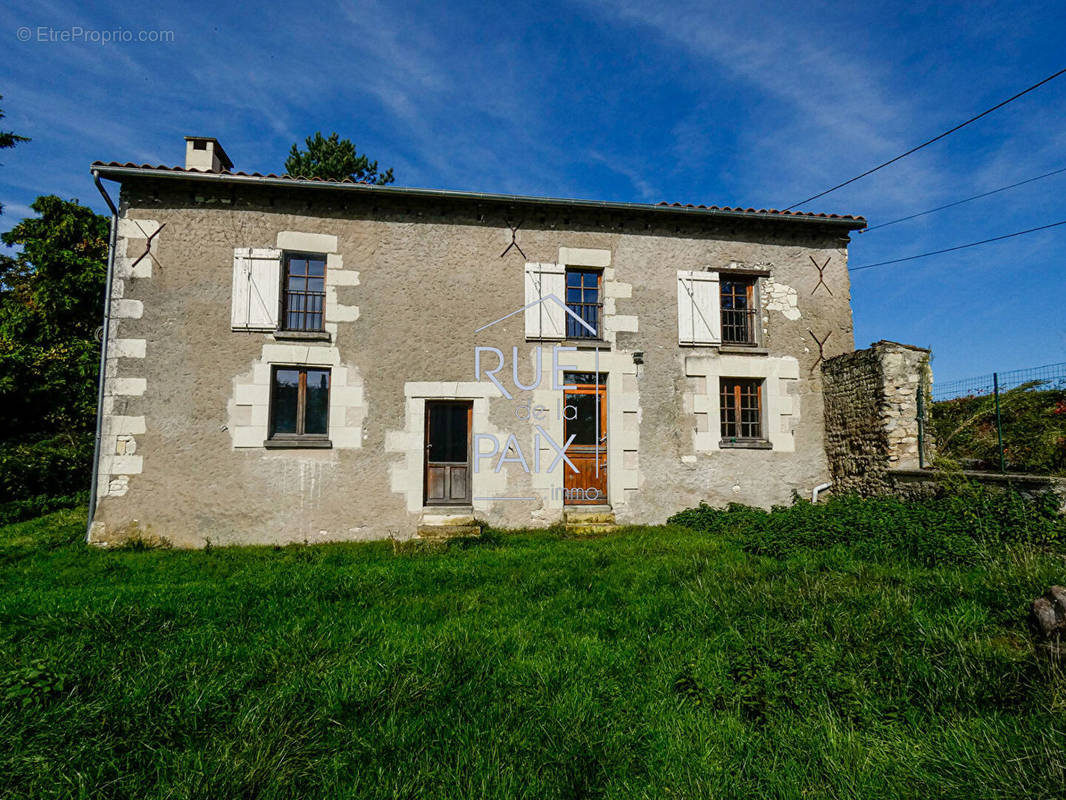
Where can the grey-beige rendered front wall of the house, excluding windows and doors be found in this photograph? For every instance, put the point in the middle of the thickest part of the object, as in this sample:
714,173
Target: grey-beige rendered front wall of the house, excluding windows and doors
426,277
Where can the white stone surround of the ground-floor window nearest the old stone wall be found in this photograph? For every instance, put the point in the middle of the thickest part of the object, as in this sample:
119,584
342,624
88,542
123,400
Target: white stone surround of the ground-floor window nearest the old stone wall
781,407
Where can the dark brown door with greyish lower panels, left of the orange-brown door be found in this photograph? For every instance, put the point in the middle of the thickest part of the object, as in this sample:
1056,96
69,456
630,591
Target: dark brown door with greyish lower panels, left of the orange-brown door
448,453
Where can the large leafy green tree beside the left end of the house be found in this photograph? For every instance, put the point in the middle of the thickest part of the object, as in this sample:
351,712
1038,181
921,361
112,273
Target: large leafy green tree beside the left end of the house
51,297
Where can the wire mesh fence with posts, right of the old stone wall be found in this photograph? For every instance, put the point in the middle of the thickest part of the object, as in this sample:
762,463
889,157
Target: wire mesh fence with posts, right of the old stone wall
1005,422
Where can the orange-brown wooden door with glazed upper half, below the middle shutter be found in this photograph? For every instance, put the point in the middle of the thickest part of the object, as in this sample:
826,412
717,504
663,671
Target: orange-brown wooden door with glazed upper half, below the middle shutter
586,420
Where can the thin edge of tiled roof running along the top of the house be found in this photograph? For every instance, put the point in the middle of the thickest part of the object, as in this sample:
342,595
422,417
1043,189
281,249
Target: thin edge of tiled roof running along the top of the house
854,222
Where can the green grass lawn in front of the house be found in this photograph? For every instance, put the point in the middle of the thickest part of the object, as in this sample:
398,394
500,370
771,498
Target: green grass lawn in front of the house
655,663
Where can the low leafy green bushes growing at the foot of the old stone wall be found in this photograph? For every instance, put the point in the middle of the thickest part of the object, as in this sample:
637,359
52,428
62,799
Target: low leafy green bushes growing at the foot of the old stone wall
951,530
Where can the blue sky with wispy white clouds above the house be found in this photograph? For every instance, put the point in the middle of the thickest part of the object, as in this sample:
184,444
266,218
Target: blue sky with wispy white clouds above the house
735,104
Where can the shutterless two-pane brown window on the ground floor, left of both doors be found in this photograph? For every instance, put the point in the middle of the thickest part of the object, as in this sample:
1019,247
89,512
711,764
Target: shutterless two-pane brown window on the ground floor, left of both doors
300,407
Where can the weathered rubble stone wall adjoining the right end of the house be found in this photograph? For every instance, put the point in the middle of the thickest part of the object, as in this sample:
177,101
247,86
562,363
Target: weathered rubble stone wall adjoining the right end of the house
873,415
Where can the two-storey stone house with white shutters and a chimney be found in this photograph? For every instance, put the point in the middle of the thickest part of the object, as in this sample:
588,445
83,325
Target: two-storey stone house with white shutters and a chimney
293,360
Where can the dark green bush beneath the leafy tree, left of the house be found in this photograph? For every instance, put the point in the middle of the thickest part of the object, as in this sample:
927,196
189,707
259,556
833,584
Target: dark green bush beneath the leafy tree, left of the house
56,467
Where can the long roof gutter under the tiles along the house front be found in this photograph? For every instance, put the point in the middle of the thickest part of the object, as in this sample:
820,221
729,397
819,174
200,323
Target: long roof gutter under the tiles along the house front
118,173
